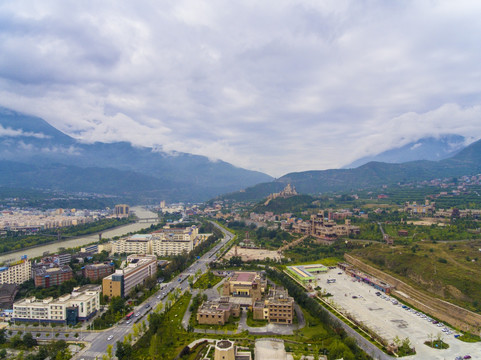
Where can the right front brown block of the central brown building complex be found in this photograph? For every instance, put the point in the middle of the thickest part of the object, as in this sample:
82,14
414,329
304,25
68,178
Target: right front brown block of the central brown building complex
278,307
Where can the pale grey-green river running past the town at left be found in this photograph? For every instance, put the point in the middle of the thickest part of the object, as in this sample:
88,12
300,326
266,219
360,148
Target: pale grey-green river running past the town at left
84,240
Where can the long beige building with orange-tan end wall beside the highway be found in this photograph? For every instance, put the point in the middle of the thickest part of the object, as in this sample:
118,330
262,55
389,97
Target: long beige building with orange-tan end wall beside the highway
138,269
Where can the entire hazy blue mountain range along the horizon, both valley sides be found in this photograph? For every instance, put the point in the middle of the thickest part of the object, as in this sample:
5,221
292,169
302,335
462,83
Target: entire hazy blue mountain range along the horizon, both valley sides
33,154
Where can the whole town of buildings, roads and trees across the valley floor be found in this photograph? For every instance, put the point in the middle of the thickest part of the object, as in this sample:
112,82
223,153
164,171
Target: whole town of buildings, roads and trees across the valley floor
236,276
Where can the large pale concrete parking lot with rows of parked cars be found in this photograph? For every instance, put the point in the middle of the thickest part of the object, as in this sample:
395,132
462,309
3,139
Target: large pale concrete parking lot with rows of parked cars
388,318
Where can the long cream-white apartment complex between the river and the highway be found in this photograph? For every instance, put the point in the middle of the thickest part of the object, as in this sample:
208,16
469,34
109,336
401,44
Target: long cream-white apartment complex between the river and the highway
165,242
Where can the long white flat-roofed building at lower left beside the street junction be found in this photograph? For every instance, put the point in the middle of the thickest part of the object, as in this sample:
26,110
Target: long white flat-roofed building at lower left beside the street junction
80,305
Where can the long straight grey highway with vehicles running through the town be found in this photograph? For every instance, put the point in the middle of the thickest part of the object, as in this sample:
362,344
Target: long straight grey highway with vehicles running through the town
99,340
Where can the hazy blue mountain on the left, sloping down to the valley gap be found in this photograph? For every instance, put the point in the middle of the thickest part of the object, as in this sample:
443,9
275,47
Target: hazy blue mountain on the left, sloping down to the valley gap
34,154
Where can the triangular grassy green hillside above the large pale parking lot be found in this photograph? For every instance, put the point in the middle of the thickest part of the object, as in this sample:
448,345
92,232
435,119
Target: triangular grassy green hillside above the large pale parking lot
450,271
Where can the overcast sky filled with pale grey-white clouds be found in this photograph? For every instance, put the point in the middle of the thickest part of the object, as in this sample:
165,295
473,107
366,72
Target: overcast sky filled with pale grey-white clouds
276,86
